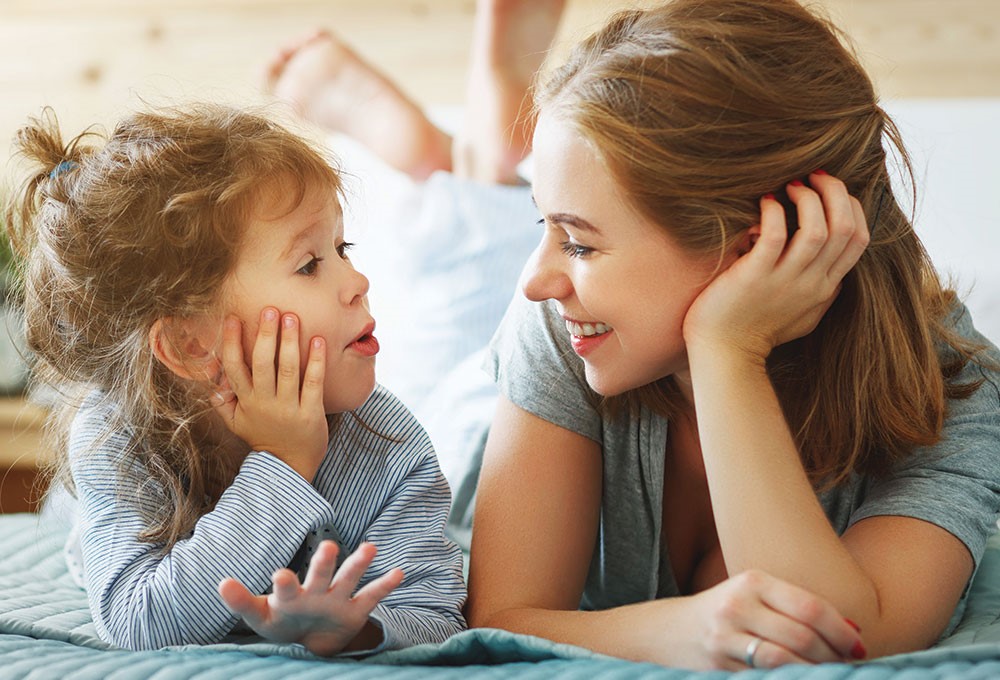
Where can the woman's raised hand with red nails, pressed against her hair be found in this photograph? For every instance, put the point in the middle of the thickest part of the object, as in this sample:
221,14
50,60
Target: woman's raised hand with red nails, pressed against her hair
779,291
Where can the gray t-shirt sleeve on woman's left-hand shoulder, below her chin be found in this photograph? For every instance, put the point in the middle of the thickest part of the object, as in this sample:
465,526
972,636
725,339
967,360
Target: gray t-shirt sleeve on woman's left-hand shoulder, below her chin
534,365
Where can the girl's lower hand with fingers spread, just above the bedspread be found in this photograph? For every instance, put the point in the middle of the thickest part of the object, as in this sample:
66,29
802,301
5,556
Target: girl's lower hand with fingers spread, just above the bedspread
324,613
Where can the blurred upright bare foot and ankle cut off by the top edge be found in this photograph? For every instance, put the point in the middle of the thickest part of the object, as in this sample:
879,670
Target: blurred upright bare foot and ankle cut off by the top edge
510,41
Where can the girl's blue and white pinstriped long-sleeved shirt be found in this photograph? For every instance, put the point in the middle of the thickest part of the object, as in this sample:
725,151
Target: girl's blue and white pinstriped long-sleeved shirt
369,487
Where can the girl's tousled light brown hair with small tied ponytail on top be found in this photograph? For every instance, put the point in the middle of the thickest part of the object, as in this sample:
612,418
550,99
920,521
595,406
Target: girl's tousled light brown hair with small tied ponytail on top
121,231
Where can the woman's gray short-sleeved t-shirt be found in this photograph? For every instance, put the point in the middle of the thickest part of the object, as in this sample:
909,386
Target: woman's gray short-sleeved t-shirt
954,484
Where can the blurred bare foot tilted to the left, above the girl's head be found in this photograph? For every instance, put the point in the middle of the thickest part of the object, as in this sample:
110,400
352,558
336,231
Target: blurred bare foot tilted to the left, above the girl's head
329,84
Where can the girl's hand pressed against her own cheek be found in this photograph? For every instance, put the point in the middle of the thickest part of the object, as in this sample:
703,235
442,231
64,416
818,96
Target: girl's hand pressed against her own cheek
268,408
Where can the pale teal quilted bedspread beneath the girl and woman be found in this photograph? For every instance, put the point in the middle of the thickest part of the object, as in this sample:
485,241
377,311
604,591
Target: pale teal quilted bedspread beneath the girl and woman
46,632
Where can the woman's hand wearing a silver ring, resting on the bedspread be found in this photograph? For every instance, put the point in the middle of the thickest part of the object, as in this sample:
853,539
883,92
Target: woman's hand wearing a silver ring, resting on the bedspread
793,625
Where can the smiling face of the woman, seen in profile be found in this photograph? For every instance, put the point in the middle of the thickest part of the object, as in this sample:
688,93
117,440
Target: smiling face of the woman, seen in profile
620,282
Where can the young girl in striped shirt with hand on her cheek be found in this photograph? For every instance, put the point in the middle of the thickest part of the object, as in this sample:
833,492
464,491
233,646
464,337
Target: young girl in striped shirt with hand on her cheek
155,261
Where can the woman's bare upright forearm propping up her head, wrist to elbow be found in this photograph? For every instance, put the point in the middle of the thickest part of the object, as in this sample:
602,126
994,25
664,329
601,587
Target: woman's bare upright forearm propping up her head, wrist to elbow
767,514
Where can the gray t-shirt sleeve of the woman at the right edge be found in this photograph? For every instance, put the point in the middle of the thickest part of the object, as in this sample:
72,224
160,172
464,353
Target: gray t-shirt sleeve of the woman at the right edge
954,484
